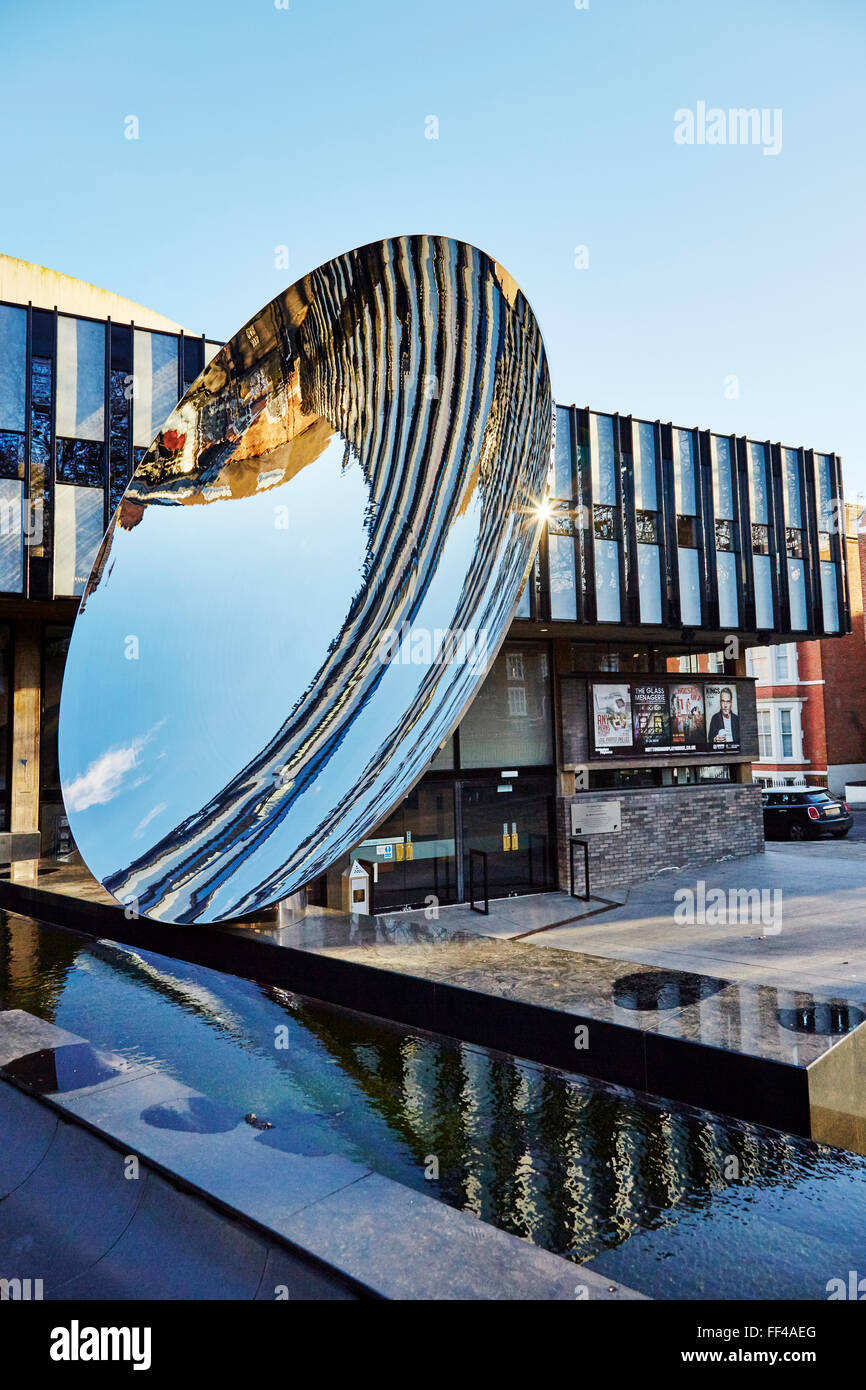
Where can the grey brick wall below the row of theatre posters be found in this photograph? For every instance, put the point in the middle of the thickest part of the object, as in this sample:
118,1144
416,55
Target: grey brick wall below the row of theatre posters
661,828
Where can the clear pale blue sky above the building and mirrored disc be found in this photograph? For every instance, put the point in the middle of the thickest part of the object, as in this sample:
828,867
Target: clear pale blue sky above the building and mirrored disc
307,129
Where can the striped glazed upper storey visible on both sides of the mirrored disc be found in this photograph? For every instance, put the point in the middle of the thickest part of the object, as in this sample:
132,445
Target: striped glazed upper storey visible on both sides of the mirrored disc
655,530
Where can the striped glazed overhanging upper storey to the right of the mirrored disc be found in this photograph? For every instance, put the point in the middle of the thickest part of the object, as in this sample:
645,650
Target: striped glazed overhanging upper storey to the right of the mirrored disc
662,530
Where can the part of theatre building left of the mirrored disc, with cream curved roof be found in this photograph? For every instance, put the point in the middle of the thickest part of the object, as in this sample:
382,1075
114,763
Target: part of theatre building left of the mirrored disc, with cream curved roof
87,380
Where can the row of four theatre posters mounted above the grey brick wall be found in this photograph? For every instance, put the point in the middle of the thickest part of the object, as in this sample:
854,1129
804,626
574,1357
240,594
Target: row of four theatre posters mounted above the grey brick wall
665,715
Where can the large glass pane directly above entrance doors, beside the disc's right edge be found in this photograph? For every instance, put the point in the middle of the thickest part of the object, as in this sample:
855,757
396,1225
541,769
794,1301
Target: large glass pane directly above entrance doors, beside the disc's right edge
509,721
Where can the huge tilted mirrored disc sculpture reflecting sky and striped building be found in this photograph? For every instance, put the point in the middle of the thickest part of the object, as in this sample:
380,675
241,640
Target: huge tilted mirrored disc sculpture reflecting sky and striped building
307,580
